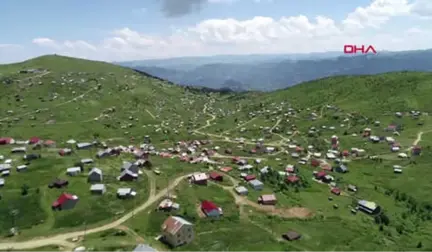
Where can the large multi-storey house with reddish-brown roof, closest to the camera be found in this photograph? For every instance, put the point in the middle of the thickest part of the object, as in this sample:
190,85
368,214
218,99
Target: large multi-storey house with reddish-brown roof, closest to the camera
177,231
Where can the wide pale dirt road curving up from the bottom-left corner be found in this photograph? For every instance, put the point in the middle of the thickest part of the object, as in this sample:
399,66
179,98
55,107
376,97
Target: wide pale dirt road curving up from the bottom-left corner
61,238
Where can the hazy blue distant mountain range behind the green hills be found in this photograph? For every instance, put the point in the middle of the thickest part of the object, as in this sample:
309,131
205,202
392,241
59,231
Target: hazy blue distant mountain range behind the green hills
272,72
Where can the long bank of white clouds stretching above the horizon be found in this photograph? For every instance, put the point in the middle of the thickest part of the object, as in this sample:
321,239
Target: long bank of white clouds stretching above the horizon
294,34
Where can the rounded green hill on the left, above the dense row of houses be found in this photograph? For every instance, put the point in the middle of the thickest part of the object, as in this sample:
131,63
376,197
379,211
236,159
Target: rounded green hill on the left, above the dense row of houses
78,94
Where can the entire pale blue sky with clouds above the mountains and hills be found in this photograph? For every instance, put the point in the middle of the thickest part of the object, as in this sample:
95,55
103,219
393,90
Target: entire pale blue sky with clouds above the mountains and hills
111,30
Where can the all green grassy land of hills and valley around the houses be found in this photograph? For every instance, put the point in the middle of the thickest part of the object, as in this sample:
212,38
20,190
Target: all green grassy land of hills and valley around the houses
68,98
